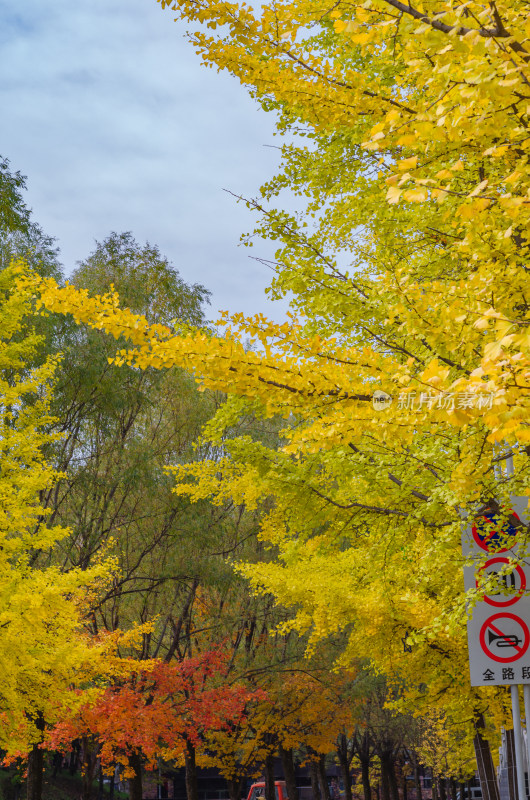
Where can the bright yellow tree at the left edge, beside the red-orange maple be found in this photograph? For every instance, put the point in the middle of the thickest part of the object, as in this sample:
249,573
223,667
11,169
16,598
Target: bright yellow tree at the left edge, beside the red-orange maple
44,650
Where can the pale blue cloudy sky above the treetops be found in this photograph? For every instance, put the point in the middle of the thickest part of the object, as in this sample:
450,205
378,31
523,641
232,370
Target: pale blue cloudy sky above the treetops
108,112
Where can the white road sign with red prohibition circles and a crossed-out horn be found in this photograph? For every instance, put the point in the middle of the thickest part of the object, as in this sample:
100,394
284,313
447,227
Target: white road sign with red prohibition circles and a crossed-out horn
498,631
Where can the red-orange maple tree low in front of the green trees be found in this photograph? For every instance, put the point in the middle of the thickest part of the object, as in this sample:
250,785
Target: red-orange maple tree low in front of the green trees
161,710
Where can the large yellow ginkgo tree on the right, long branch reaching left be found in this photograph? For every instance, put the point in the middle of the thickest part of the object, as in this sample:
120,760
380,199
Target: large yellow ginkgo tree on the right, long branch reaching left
408,275
